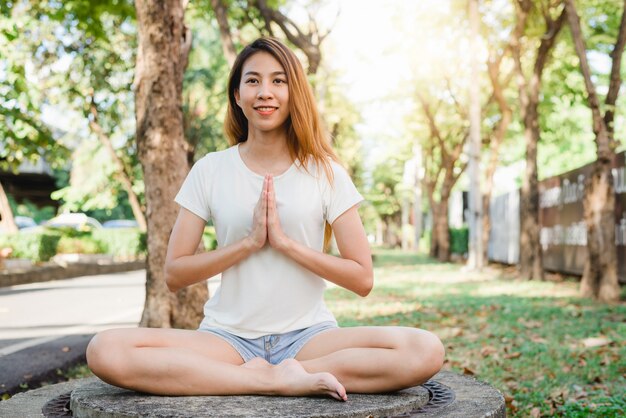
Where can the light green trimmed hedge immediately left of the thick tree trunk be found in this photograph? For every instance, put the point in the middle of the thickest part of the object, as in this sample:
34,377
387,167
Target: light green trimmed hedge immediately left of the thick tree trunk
126,242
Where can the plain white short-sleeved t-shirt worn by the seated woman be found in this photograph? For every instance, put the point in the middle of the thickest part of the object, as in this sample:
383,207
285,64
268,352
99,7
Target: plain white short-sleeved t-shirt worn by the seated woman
266,293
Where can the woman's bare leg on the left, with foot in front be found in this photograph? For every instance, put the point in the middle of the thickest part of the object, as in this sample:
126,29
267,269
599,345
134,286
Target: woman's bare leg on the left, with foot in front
182,362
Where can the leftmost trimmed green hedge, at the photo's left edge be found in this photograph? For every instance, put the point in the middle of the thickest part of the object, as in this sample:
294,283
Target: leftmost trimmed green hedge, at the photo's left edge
35,246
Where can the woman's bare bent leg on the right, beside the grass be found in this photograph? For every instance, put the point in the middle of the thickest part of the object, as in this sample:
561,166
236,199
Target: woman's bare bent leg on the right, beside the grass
374,359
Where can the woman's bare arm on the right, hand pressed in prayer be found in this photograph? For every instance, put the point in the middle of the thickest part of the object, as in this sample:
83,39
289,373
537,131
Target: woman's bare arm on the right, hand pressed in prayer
353,270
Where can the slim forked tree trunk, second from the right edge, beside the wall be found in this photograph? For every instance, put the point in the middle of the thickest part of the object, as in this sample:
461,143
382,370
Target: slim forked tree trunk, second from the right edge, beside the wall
531,260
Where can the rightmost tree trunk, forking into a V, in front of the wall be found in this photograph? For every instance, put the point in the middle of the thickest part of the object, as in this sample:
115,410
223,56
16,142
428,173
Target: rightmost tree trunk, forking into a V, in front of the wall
600,279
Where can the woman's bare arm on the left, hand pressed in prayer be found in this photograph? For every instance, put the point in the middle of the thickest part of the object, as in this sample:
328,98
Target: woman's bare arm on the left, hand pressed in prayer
183,267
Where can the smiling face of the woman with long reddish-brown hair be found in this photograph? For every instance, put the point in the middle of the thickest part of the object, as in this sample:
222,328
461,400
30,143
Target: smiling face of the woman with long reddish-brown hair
263,94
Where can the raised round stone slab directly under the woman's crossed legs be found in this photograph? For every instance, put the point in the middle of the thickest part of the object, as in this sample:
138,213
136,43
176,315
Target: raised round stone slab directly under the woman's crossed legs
99,399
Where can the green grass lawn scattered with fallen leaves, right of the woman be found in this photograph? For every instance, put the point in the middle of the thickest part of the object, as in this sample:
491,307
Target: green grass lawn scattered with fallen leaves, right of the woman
527,339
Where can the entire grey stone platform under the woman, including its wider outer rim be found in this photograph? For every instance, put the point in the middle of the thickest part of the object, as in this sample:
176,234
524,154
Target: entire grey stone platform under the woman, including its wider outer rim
446,395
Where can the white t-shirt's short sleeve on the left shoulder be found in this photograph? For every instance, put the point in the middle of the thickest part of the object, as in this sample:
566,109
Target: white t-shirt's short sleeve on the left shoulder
194,193
